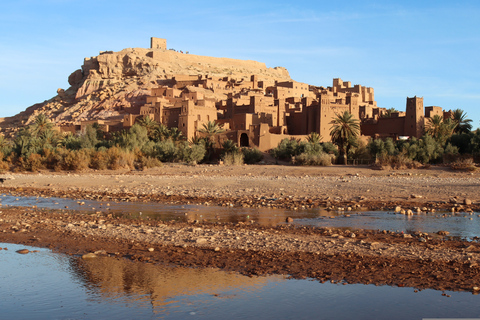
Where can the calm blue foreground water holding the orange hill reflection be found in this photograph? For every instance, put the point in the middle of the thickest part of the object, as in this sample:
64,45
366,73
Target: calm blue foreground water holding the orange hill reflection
45,285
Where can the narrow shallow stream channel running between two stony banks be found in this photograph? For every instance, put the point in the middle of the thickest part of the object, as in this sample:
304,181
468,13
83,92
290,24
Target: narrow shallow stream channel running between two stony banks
459,225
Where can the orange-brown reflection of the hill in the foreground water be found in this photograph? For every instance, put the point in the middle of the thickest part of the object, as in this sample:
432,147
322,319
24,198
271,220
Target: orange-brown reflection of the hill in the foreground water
160,286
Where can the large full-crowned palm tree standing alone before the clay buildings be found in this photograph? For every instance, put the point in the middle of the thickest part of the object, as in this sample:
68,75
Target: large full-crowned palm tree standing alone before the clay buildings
344,128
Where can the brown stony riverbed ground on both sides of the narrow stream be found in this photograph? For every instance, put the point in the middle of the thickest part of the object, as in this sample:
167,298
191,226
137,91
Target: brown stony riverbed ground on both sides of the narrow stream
418,260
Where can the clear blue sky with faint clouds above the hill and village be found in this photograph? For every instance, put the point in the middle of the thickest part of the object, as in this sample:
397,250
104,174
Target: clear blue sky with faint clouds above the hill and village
400,48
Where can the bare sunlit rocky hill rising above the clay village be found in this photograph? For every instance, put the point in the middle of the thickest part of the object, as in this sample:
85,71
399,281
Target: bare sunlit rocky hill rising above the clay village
110,84
